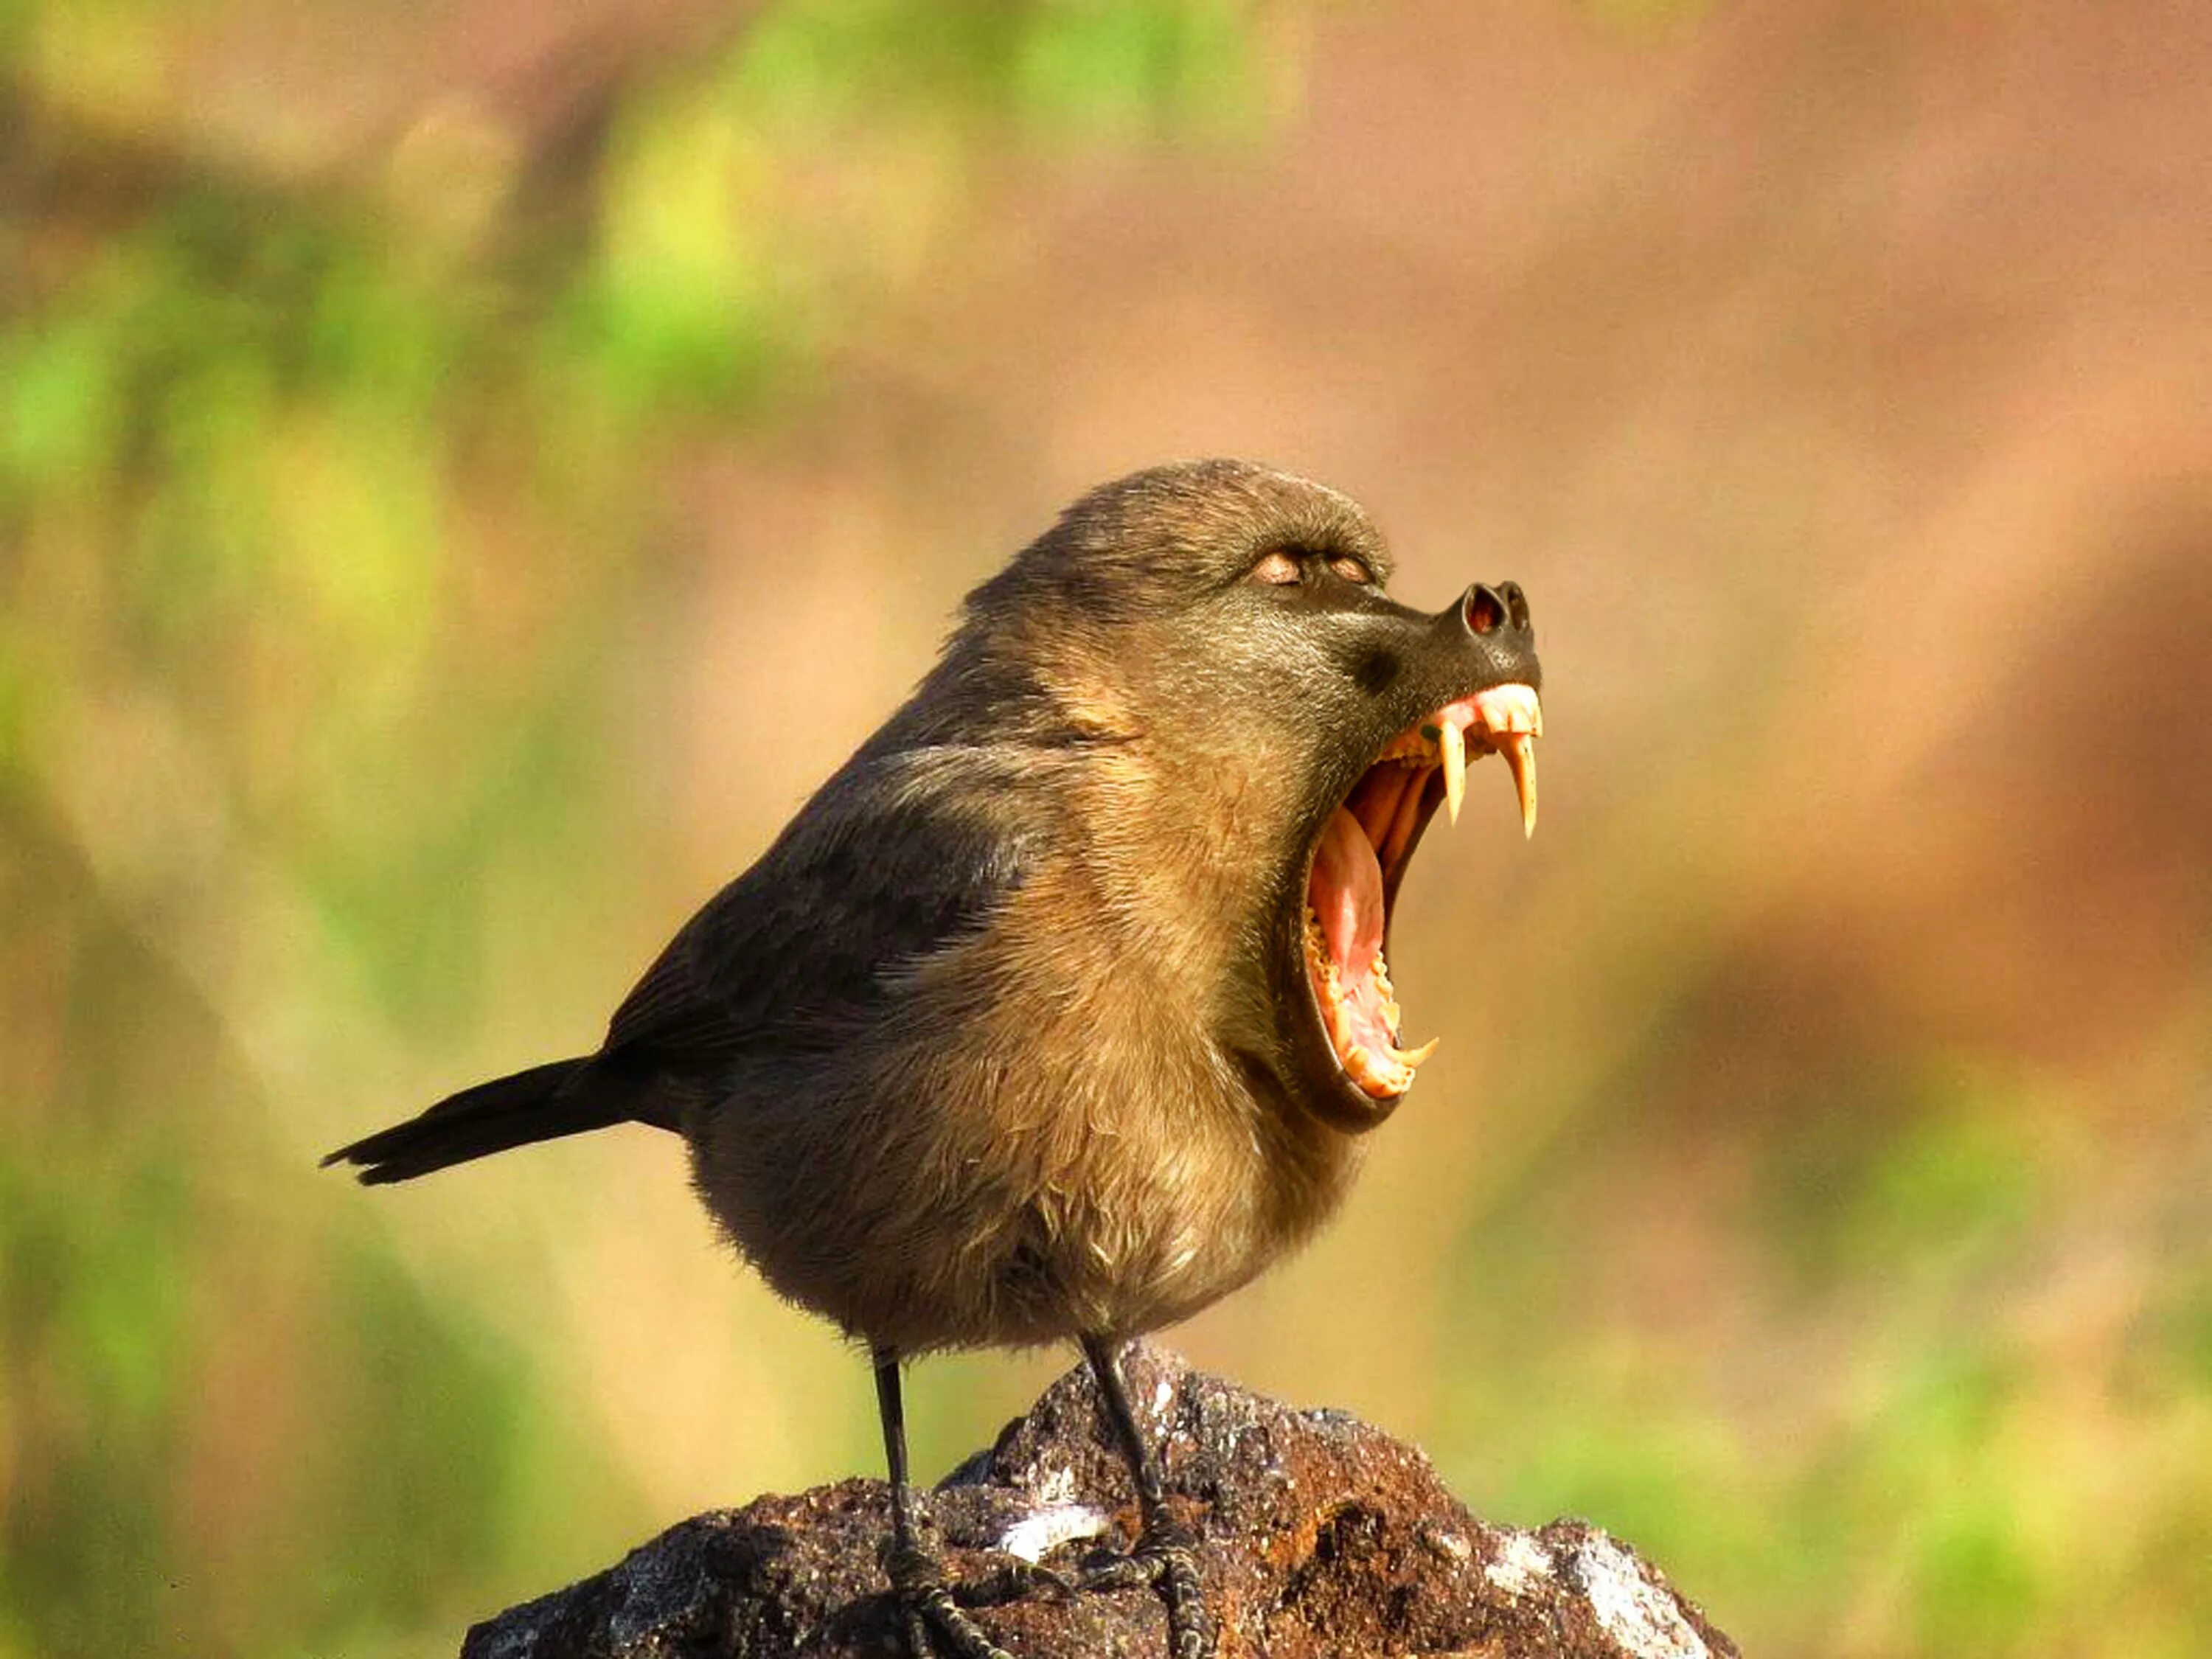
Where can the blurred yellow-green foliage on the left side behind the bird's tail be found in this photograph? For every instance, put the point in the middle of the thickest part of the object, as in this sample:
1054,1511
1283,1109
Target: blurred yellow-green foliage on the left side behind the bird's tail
322,503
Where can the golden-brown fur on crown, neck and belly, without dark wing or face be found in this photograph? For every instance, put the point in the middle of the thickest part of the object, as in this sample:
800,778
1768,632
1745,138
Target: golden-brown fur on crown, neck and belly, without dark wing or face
1072,1123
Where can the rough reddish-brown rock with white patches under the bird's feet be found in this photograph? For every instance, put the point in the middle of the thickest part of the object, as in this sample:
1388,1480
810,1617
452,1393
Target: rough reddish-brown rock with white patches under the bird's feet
1319,1536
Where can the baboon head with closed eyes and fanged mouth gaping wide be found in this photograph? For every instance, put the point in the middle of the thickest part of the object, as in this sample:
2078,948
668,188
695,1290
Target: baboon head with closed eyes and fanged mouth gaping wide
1266,738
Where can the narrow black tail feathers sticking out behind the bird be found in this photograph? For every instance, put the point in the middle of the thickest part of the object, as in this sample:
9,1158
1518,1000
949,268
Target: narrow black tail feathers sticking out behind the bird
539,1105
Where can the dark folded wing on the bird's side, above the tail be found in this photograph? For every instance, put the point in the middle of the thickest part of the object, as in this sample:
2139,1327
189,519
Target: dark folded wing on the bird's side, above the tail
893,862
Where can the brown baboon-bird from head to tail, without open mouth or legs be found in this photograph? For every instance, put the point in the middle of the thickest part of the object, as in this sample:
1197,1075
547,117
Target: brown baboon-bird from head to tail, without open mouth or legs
1005,1039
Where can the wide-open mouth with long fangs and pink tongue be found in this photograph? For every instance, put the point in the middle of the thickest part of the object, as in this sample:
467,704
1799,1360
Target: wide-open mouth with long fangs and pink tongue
1361,859
